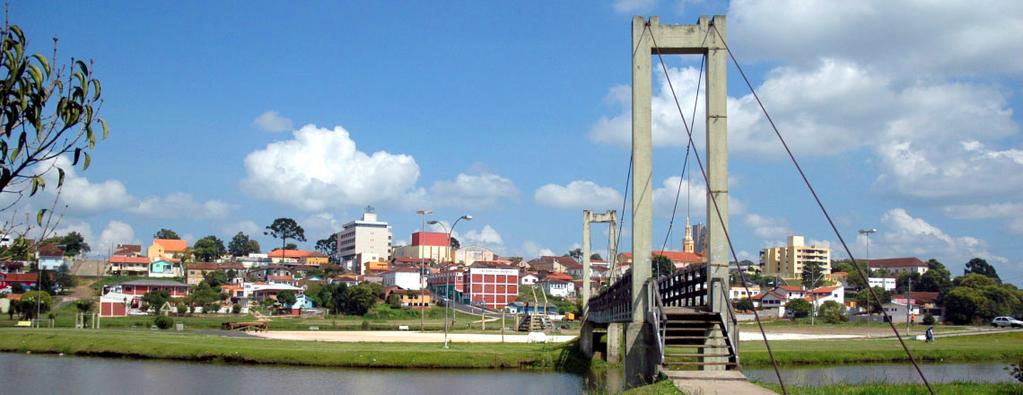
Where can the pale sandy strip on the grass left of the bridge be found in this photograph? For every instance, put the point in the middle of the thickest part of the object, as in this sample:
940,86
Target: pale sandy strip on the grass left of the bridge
399,337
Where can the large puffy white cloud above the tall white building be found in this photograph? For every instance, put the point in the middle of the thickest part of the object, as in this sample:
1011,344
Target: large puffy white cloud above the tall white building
323,168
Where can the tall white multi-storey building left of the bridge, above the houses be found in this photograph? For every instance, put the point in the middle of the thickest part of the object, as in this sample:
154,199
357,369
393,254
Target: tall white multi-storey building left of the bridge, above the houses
367,240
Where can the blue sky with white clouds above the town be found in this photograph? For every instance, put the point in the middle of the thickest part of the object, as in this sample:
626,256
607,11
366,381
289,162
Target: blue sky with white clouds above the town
228,115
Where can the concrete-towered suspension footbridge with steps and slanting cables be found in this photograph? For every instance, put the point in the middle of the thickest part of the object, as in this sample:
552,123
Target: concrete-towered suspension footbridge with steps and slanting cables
682,324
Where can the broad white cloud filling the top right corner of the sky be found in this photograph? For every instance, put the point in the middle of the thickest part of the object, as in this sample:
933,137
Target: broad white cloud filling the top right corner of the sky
913,37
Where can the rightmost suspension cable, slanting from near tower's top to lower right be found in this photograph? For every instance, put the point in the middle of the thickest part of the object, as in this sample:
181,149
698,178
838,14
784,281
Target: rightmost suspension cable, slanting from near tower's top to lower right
824,210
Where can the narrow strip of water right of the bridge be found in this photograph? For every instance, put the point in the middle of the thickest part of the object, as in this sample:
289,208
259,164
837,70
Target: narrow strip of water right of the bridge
886,373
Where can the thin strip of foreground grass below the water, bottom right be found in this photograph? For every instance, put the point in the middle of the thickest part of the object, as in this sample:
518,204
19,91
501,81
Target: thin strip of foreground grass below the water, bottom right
903,389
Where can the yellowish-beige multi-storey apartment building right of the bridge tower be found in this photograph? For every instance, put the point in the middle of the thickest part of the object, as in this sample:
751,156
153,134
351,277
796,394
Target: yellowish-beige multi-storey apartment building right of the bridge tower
787,262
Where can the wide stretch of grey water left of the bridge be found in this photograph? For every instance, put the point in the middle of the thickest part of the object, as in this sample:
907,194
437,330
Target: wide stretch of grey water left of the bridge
22,374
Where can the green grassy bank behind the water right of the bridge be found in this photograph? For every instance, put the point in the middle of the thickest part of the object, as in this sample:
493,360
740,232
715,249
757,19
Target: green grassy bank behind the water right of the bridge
968,348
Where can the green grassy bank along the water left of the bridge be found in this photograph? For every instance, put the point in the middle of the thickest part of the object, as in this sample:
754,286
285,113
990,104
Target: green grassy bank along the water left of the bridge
198,347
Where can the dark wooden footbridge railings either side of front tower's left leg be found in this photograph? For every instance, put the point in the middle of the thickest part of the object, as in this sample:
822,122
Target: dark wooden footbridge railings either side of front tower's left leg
685,288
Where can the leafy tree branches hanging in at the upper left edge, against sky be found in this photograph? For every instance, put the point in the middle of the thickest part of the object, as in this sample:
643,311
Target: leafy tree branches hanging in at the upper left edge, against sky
36,139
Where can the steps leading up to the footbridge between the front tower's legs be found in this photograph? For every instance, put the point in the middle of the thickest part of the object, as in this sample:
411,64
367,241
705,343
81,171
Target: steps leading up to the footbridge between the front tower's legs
697,340
